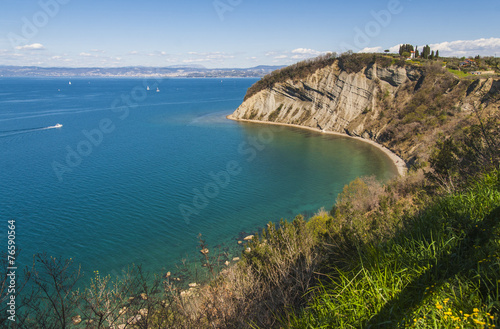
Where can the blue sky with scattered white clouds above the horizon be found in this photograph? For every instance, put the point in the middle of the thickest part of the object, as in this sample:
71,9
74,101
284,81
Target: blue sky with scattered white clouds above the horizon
235,33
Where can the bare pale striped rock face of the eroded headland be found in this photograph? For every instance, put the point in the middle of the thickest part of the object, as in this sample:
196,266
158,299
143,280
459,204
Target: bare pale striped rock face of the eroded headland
330,99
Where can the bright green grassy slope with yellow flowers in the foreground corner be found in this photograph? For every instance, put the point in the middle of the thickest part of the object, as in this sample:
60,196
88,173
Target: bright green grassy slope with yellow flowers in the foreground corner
441,271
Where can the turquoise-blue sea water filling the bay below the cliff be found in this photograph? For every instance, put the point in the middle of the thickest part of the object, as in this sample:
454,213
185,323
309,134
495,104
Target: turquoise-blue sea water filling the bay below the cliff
134,176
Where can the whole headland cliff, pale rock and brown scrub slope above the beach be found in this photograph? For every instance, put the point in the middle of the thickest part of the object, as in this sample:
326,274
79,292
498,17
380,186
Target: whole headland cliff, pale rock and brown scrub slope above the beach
403,107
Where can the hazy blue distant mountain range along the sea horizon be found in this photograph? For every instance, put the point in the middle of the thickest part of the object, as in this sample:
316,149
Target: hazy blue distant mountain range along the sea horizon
197,71
